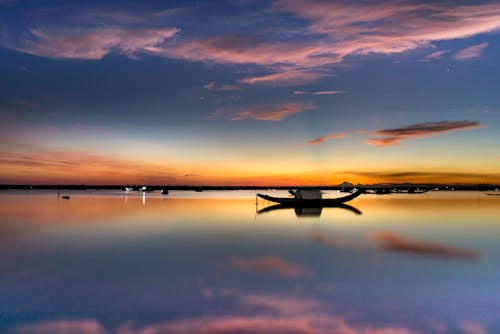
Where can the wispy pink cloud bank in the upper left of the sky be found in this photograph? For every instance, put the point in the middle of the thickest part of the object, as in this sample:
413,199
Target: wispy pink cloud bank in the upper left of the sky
94,43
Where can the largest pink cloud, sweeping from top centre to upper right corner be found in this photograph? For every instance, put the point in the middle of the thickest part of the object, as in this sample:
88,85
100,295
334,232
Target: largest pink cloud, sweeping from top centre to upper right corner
335,31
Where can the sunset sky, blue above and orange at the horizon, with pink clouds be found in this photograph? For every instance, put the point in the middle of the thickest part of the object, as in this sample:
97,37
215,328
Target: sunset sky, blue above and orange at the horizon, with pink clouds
246,92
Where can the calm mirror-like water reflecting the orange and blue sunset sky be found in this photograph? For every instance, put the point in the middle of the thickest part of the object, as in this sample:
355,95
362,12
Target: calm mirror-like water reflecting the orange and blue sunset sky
106,262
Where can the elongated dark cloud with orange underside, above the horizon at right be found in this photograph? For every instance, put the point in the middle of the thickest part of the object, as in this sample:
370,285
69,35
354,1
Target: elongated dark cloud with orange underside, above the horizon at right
420,130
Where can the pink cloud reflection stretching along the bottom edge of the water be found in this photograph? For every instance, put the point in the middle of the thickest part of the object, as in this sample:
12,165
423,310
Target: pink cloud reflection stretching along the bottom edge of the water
274,314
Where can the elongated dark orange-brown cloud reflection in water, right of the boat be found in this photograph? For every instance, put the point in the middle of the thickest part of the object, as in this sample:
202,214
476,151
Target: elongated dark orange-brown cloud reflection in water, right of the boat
394,242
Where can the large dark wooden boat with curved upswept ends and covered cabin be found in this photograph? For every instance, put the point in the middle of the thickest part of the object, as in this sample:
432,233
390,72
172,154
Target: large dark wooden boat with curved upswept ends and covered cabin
310,198
